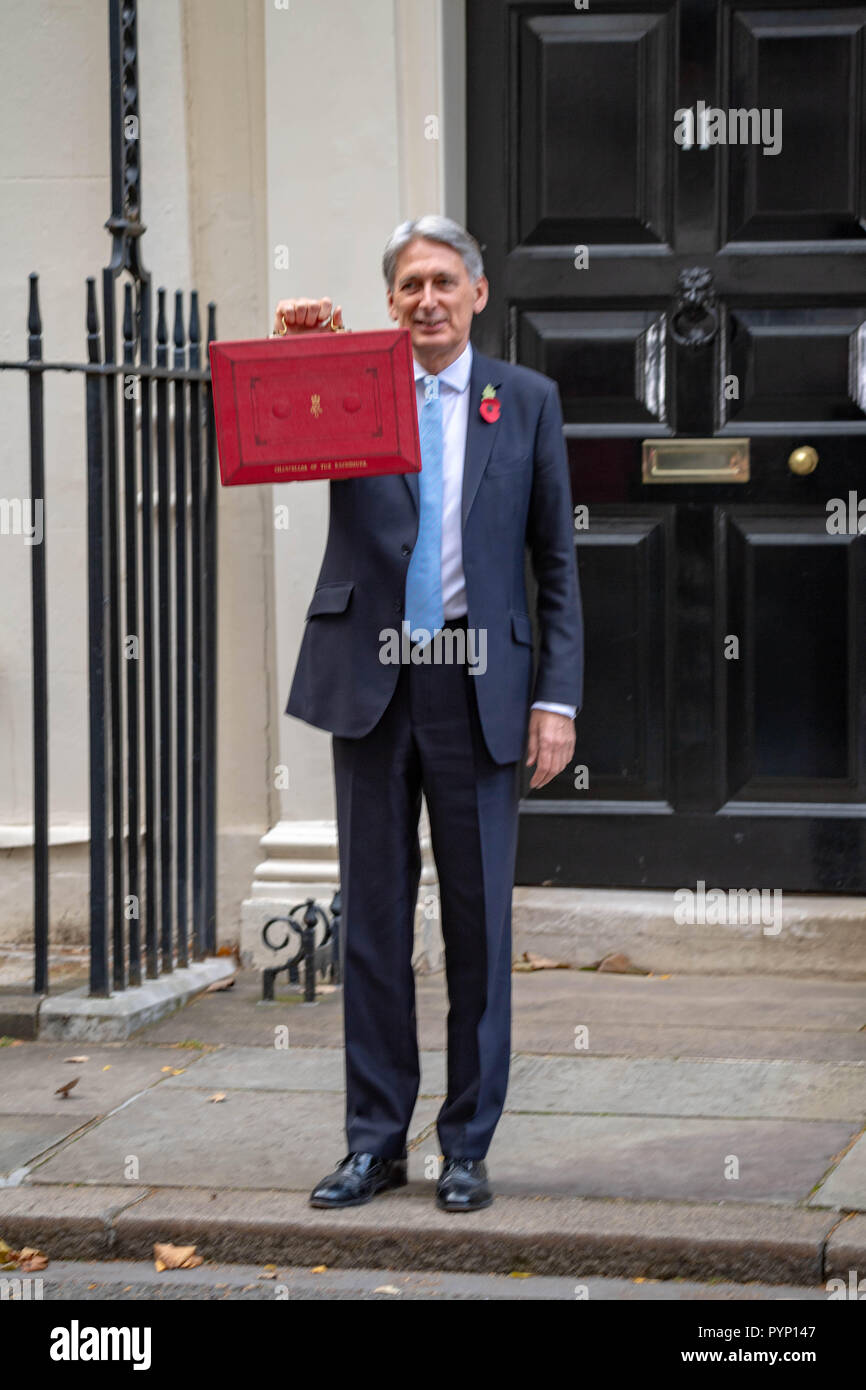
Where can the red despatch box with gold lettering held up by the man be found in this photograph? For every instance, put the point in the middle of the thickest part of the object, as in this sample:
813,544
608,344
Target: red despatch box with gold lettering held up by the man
316,405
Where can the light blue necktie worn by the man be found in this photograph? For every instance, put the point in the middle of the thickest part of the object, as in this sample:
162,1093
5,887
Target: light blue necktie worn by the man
425,578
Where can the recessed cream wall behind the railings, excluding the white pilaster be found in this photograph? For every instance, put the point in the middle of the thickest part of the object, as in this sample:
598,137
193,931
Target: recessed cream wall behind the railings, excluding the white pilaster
201,72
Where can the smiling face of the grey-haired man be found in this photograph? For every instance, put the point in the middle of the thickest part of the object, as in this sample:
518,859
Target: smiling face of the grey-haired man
436,300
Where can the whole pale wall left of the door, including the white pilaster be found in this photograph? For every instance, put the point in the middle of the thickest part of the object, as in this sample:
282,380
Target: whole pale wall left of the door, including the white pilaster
265,124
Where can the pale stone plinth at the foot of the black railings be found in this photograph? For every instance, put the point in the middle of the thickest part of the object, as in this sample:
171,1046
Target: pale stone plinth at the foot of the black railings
77,1015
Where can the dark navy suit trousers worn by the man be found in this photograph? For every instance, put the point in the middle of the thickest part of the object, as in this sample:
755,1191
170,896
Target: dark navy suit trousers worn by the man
429,740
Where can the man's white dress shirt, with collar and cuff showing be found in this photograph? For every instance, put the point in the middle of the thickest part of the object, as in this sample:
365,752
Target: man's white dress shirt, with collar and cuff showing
454,393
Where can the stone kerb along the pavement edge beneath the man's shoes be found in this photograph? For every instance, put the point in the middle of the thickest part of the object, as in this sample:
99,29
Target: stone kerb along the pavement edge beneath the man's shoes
572,1238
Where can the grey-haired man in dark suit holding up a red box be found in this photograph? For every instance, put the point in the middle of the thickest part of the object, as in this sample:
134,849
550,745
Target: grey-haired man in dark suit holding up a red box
437,559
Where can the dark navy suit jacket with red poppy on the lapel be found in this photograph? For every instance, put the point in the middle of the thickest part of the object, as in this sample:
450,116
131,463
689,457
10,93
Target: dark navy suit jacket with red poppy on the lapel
516,494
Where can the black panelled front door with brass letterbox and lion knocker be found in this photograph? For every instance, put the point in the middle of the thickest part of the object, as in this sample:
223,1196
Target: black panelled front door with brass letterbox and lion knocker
672,201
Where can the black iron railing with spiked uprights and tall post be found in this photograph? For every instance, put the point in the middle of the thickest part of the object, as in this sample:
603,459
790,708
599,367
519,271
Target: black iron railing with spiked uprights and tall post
152,596
